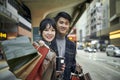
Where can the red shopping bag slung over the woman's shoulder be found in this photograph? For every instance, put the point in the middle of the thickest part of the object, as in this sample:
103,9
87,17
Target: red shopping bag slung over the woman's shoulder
35,74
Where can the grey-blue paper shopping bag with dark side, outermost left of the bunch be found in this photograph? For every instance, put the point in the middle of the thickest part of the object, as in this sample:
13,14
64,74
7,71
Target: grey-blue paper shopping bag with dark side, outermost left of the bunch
18,52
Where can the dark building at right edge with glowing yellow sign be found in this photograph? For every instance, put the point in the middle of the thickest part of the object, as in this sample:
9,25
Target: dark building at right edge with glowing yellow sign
114,29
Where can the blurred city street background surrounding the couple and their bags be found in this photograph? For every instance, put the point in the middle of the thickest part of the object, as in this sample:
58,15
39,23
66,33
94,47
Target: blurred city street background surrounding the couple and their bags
95,28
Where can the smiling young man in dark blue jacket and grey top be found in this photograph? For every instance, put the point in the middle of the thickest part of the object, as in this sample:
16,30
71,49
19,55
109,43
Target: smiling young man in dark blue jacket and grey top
62,45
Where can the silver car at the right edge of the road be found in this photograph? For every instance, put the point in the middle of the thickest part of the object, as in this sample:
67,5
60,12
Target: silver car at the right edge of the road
112,50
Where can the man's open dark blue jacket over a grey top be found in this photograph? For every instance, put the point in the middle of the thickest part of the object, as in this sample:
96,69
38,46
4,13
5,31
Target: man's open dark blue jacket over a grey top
70,53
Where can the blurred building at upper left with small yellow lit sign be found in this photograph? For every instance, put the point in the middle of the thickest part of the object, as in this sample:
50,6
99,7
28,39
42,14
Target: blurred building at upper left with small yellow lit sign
14,20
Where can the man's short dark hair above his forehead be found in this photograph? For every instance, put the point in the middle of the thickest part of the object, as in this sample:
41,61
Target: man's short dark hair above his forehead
64,15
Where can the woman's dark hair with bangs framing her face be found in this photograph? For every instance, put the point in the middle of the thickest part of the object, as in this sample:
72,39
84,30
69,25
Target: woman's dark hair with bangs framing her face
44,23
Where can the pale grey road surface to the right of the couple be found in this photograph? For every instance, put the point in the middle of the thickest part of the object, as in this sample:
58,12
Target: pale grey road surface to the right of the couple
100,66
